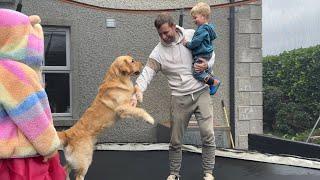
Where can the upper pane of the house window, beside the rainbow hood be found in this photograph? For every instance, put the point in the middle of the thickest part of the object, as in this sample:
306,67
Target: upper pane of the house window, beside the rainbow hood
55,48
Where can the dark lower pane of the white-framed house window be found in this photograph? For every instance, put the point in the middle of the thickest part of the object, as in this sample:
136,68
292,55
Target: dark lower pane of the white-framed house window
57,88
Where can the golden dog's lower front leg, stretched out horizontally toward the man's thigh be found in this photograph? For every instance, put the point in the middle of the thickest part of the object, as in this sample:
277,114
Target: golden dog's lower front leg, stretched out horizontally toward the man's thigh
127,111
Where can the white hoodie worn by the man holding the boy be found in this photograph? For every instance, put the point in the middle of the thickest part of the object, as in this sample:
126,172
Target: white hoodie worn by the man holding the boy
175,62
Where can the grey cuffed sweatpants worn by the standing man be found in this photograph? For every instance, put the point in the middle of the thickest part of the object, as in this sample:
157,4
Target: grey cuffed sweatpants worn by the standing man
182,108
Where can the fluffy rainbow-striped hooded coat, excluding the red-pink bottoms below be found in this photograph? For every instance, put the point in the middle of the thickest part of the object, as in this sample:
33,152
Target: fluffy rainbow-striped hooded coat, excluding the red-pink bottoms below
26,127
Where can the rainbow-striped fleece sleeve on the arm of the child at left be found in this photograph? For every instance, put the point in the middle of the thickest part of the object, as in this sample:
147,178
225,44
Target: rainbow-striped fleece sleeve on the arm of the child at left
26,105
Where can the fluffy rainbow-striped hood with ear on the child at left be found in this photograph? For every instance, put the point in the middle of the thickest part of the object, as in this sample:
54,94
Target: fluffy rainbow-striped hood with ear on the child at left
23,43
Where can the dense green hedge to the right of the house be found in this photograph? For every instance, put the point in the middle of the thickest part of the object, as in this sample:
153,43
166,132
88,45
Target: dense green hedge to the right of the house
291,83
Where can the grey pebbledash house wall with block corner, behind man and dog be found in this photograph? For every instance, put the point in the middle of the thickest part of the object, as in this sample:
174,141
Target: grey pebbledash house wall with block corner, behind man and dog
93,47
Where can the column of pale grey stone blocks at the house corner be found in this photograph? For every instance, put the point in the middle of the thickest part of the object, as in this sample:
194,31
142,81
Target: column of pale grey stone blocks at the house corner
248,73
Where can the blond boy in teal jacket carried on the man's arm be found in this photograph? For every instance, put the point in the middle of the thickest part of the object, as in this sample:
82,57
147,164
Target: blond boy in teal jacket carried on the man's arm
201,44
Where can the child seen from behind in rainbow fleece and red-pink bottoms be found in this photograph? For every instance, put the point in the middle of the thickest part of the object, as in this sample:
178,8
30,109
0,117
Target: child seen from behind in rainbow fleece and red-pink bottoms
28,139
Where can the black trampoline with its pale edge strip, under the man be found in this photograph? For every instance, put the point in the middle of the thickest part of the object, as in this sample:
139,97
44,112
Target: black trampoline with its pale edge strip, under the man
150,162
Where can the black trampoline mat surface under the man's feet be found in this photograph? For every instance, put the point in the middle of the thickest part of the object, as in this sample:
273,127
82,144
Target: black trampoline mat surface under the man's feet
153,165
